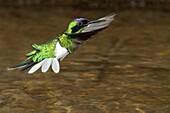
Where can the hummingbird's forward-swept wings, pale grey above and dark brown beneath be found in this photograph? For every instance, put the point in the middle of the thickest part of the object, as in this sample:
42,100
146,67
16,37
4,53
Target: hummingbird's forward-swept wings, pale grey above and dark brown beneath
91,29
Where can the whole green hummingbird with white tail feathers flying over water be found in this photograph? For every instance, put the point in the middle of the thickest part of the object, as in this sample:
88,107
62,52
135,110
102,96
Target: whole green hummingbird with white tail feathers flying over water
51,53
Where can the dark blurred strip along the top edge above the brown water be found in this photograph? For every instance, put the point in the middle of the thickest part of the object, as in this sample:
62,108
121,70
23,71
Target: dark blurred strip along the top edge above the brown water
91,4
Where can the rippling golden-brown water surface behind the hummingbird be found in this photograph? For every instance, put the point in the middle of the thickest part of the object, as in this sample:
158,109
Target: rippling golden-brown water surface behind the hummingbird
119,71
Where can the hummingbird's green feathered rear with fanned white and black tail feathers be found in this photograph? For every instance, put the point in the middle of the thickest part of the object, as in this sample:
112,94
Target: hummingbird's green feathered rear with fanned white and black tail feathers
43,56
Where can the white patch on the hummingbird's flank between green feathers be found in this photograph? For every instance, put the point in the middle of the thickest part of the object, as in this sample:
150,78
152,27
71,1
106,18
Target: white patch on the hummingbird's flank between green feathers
60,52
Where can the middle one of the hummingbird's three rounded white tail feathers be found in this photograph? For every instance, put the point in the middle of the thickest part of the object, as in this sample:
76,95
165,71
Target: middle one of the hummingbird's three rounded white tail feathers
46,65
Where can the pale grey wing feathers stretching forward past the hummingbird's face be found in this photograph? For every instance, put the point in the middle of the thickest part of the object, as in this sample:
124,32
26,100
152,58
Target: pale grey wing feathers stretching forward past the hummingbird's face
98,24
